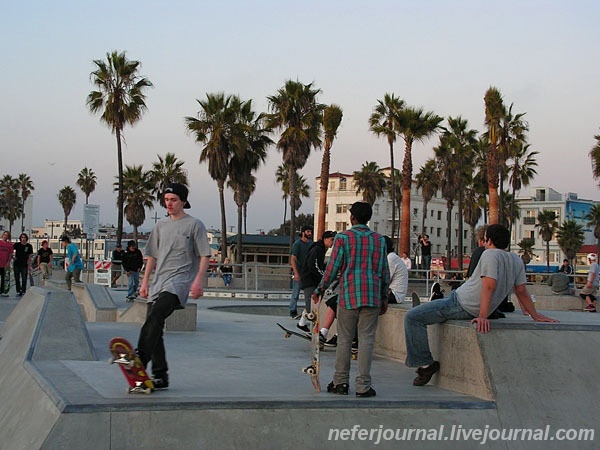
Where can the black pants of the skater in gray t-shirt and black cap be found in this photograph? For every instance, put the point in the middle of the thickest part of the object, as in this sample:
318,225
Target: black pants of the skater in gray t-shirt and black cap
150,344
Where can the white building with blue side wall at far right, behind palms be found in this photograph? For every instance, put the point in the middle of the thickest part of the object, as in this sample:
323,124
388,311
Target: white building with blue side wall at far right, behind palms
566,207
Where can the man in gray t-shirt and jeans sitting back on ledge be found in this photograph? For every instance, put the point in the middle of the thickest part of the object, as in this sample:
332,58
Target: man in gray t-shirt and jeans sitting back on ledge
496,274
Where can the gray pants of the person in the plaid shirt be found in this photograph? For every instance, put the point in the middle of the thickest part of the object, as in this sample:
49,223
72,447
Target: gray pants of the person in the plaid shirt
349,320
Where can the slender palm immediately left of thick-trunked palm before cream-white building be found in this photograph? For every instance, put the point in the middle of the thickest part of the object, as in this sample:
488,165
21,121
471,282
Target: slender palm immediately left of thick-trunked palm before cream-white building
383,123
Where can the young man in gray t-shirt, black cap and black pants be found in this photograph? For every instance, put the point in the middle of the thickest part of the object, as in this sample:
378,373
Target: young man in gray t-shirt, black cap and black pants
179,251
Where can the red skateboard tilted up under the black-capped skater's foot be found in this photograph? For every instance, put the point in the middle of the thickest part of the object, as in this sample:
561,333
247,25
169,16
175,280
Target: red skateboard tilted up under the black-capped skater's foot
124,355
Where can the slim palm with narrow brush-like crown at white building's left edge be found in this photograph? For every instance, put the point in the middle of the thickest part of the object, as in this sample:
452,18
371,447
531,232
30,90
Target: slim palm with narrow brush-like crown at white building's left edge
332,117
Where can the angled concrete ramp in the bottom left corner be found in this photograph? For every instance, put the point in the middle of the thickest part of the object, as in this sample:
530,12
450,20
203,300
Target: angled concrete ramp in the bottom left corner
44,325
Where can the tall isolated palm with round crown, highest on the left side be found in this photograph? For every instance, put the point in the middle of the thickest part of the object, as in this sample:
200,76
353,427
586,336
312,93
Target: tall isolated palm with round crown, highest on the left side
121,100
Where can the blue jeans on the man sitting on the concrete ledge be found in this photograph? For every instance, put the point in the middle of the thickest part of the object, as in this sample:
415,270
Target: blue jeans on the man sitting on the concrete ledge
415,326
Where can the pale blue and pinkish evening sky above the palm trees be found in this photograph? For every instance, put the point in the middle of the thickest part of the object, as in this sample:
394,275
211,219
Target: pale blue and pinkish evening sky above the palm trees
438,55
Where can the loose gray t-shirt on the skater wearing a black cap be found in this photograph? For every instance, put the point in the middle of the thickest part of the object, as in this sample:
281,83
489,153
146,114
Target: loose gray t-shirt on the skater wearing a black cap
177,246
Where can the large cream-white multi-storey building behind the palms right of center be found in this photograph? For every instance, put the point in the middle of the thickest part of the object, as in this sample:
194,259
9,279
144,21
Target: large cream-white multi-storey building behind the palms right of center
341,194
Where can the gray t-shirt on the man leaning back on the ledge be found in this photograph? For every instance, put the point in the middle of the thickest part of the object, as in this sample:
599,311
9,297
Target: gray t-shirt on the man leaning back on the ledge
504,267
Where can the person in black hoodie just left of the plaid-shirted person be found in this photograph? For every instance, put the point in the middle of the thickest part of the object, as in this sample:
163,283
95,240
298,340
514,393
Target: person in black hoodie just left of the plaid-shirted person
312,271
